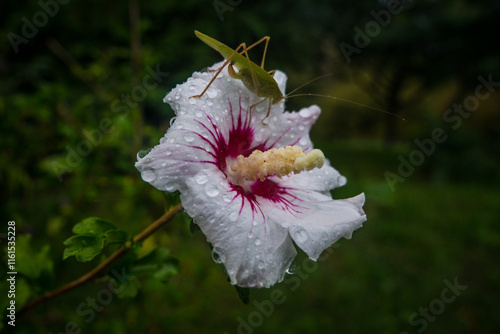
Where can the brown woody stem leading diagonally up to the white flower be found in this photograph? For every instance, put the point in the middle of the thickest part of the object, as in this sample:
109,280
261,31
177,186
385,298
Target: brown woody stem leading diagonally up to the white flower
101,268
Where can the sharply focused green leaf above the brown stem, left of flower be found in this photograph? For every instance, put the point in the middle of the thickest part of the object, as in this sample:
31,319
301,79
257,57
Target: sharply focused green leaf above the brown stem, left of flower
92,235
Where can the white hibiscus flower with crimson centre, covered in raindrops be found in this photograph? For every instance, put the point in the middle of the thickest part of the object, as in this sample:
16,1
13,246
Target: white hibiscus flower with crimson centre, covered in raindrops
251,202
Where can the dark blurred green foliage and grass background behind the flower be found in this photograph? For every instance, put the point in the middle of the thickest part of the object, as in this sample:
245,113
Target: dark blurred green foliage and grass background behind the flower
84,94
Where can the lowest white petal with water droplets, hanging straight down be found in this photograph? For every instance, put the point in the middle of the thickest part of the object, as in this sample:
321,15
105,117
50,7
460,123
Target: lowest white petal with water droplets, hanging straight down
255,251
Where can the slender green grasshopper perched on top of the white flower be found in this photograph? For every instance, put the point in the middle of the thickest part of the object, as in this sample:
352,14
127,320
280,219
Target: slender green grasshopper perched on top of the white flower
253,76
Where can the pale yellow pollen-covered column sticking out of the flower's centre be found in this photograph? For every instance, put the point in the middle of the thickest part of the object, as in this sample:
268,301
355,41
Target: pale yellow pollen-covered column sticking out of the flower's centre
279,162
